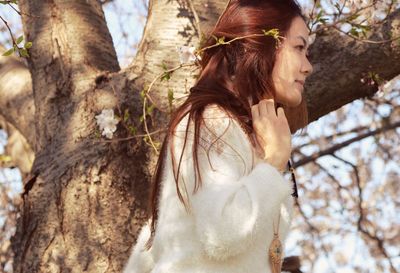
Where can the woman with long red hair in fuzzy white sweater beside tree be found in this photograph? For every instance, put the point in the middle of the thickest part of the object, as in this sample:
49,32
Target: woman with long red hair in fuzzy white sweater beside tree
220,200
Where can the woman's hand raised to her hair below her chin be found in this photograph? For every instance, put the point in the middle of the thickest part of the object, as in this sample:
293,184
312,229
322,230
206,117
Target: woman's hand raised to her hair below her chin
272,133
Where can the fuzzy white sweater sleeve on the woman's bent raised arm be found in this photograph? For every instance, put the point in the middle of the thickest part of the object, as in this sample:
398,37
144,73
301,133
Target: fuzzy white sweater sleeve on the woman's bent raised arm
236,199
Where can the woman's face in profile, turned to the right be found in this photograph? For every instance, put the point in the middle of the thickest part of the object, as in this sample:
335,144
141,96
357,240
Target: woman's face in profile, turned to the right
292,65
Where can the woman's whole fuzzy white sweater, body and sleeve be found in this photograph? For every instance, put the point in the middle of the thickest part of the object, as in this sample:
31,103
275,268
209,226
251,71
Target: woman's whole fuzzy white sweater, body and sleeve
228,226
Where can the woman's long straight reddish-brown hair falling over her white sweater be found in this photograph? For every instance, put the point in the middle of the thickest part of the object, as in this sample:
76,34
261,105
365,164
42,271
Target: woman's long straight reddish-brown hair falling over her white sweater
246,64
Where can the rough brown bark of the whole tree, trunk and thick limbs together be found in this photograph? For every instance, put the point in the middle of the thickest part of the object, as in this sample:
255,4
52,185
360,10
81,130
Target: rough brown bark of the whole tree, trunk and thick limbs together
85,200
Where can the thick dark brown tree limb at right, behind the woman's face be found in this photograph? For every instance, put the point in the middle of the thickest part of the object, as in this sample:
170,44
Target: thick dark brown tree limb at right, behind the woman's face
340,62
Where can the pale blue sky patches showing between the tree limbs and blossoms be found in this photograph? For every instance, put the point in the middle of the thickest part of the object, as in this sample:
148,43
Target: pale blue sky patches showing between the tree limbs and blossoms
126,30
